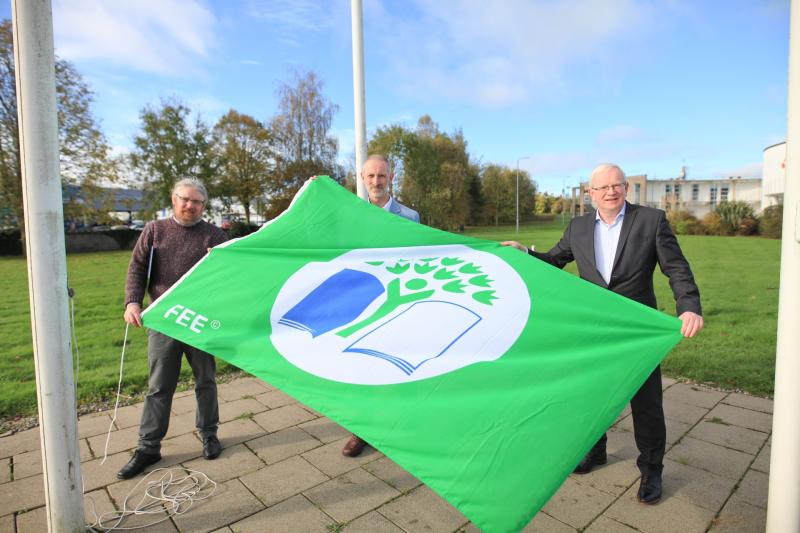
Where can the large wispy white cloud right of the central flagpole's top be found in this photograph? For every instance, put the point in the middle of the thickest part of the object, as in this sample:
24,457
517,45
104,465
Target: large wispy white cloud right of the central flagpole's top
500,53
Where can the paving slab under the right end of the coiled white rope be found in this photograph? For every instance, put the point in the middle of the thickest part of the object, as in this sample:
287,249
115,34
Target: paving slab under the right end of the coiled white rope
230,503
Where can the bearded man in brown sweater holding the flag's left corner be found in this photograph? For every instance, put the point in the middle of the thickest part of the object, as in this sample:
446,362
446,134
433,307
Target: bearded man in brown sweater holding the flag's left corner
165,251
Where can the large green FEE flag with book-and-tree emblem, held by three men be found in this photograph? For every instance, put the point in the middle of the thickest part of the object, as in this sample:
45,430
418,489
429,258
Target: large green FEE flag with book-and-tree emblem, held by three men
485,373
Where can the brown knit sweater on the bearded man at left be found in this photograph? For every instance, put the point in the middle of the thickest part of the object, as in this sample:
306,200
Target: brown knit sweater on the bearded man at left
176,249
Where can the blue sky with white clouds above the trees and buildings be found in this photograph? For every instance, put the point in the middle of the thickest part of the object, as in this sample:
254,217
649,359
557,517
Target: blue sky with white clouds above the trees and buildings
651,85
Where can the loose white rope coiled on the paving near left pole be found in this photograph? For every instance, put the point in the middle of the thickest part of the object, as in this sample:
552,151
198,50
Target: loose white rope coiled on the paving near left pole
174,492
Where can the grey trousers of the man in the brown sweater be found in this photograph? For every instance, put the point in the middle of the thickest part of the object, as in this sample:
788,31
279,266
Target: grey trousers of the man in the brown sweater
164,356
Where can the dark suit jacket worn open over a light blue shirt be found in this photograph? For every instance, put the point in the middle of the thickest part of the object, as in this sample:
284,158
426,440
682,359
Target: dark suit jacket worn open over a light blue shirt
644,241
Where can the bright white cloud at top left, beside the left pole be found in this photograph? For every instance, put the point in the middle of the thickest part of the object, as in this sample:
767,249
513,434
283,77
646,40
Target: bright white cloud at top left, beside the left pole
165,37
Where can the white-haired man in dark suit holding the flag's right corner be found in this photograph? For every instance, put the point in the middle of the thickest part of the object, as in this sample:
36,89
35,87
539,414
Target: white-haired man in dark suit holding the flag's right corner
618,247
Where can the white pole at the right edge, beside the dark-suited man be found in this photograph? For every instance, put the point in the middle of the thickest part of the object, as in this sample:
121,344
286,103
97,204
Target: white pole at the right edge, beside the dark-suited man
783,509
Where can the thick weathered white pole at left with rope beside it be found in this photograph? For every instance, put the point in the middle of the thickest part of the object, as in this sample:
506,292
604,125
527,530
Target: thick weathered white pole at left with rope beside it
47,269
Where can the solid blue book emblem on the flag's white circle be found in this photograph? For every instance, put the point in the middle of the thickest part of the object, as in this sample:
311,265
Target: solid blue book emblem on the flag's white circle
337,301
